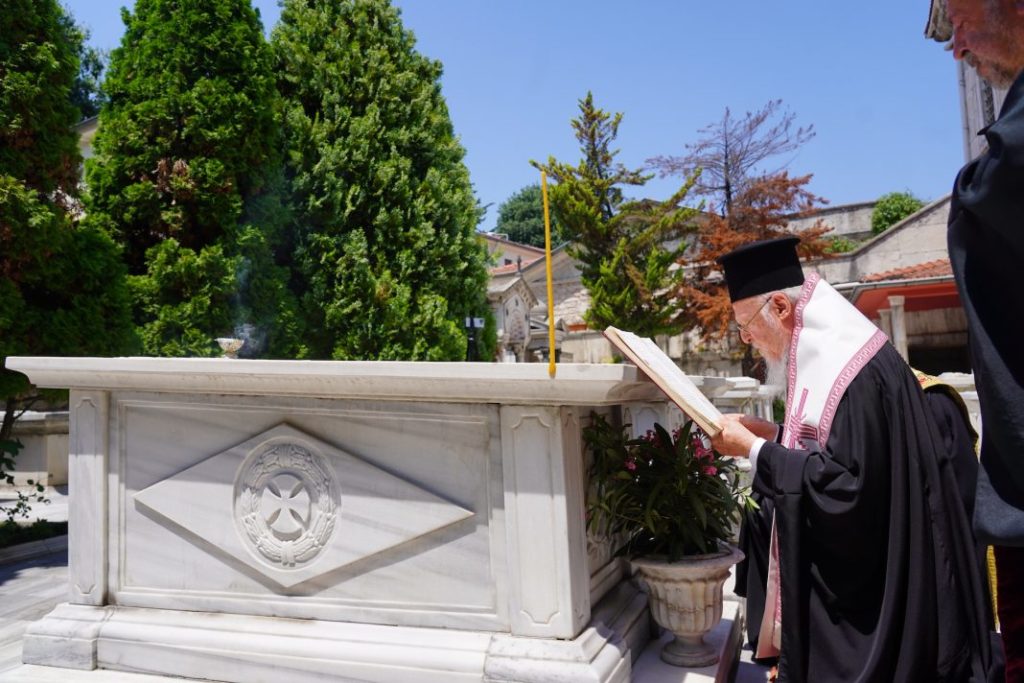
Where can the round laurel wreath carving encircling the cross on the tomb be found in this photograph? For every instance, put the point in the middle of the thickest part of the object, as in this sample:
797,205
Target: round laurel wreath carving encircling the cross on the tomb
312,469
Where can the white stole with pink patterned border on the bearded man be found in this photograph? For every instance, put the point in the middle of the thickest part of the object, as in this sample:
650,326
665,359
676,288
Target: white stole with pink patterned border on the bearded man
832,343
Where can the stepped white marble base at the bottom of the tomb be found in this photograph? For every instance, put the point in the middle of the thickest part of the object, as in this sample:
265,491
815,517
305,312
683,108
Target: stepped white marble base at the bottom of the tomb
75,641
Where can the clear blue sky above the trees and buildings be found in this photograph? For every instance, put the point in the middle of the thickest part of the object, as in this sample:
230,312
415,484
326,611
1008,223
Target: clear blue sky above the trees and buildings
882,99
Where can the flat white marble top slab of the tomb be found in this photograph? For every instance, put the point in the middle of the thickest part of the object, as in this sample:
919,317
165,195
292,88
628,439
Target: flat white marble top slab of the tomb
462,382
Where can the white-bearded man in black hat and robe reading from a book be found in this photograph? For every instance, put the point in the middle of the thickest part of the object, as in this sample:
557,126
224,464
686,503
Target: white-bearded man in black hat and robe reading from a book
872,572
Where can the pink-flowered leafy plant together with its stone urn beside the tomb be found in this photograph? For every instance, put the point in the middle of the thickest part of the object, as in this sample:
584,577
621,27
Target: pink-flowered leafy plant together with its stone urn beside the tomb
671,503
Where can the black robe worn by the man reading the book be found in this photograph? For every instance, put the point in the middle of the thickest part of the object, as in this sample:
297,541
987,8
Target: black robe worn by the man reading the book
879,578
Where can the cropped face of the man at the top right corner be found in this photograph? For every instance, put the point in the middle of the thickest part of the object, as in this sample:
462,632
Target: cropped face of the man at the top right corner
990,36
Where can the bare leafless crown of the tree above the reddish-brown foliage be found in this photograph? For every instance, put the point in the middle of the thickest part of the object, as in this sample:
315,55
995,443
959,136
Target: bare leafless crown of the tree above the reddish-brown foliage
731,154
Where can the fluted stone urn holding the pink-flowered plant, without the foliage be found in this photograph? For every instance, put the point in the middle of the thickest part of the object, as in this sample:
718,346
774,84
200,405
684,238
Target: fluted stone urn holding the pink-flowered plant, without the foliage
687,600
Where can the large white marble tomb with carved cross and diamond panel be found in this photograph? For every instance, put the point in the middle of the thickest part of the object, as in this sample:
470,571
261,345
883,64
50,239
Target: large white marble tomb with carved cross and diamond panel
247,522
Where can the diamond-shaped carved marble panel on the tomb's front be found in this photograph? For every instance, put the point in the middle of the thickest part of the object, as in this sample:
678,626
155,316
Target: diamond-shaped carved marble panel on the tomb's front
294,507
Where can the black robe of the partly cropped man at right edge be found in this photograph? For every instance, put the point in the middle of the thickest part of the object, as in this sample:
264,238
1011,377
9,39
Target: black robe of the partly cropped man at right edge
987,249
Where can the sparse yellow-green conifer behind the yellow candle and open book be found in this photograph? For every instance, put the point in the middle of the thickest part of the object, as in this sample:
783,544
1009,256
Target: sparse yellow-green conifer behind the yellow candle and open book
627,251
